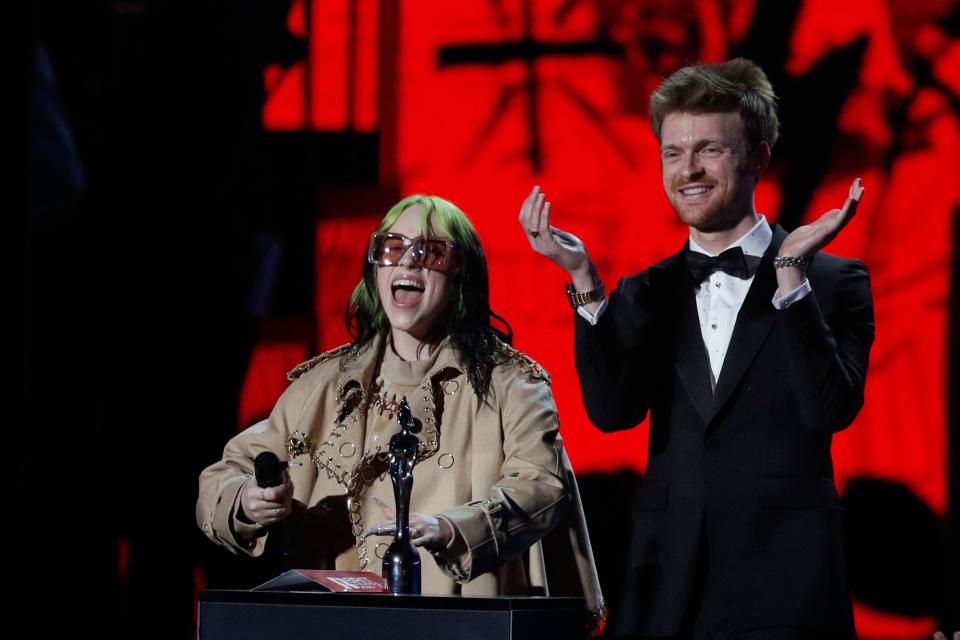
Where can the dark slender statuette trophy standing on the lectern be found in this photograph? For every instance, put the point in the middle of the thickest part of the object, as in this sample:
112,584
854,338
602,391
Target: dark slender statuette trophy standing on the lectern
401,563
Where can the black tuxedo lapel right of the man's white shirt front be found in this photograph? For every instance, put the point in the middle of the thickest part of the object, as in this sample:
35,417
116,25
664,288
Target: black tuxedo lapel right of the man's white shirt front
754,322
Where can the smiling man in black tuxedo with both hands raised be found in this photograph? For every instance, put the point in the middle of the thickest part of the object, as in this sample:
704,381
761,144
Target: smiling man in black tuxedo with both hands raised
749,349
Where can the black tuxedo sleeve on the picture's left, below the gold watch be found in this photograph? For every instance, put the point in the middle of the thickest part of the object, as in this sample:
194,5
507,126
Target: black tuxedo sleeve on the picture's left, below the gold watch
613,357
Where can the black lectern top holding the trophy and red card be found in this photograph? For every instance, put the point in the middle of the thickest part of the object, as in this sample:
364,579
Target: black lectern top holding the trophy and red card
254,615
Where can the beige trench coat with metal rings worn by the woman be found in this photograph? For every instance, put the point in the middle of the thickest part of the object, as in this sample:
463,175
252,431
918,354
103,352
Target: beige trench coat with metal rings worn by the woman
500,463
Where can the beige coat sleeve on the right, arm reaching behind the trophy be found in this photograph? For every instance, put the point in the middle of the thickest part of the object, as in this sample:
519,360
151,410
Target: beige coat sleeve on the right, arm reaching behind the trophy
529,499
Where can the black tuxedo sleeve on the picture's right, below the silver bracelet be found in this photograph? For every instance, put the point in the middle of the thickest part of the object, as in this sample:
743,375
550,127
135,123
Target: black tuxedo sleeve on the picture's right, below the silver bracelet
827,355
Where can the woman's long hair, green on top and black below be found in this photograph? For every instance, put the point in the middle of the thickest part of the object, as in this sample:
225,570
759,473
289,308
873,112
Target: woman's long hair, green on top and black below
468,314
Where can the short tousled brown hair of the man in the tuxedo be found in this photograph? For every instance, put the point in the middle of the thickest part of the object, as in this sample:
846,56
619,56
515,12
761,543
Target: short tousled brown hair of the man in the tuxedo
735,85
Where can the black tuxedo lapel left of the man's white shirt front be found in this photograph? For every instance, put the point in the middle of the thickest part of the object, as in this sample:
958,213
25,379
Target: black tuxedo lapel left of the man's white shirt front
675,288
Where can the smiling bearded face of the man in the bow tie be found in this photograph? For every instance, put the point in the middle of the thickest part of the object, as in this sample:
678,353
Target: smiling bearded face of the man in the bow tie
708,174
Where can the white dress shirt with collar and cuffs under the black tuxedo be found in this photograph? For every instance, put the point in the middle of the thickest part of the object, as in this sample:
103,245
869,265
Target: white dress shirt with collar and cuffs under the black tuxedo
721,295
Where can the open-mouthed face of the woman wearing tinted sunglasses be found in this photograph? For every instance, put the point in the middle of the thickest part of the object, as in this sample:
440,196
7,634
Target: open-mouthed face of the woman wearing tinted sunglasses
415,299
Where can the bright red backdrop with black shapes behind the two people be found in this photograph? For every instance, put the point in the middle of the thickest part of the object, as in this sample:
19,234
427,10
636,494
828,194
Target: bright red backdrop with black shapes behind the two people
573,121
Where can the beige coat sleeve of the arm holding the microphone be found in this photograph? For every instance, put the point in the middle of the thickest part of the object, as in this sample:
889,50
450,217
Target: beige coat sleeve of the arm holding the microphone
218,504
